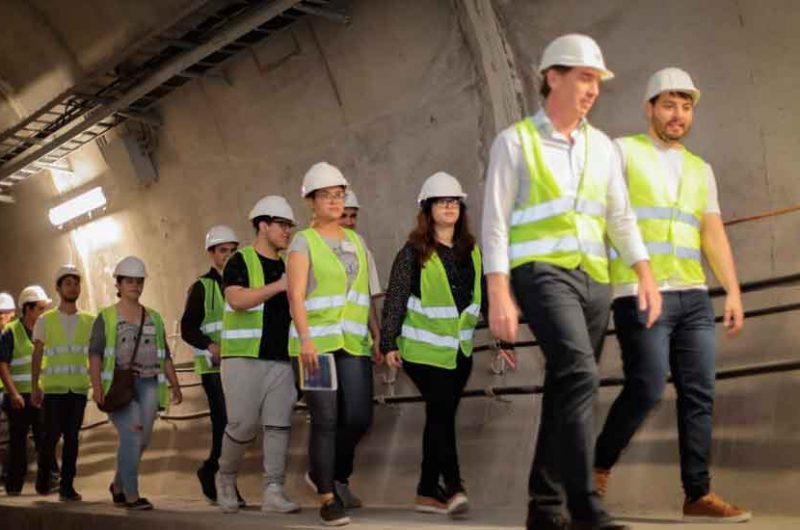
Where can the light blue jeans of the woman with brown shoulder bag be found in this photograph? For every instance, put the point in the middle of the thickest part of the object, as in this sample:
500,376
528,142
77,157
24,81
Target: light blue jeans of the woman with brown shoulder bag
134,424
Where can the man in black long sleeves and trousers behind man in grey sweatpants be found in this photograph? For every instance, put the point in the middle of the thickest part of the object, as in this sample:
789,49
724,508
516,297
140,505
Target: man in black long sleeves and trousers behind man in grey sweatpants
201,328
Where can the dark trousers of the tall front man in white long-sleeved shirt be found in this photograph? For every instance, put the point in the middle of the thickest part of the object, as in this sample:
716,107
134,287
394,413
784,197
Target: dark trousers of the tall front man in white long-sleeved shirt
568,313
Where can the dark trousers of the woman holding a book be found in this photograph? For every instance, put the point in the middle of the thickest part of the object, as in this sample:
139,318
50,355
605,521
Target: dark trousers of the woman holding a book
339,420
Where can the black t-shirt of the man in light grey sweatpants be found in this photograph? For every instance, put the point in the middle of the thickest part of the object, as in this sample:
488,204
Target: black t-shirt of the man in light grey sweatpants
275,328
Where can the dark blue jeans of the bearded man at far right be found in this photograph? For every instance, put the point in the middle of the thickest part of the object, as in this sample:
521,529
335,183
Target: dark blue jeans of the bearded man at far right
683,341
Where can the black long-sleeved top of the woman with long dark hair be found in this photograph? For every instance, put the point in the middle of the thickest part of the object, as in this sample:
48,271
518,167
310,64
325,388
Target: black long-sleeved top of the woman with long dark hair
405,281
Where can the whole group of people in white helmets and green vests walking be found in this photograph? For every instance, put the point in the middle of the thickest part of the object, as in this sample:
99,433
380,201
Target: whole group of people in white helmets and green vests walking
571,221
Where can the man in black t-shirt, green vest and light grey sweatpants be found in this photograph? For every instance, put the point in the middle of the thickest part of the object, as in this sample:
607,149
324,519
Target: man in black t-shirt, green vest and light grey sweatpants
256,374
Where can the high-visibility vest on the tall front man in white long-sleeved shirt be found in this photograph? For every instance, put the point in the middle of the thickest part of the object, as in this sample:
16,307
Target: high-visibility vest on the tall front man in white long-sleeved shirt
553,226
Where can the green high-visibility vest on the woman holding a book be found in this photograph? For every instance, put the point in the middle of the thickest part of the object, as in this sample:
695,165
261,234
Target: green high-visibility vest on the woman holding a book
337,318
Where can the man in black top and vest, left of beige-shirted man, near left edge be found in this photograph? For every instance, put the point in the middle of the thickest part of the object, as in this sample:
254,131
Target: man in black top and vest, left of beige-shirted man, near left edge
16,355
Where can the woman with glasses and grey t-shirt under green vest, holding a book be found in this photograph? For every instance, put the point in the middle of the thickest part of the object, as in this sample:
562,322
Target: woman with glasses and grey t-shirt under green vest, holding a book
328,287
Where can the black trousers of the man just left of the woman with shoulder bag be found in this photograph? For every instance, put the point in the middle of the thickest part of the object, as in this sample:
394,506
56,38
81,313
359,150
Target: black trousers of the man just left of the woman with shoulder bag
63,416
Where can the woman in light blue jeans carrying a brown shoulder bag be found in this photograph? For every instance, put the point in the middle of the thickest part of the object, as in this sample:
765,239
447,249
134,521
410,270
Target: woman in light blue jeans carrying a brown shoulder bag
115,334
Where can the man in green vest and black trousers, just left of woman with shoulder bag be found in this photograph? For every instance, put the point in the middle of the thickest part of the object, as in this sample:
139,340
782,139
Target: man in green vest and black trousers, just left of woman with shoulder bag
60,379
